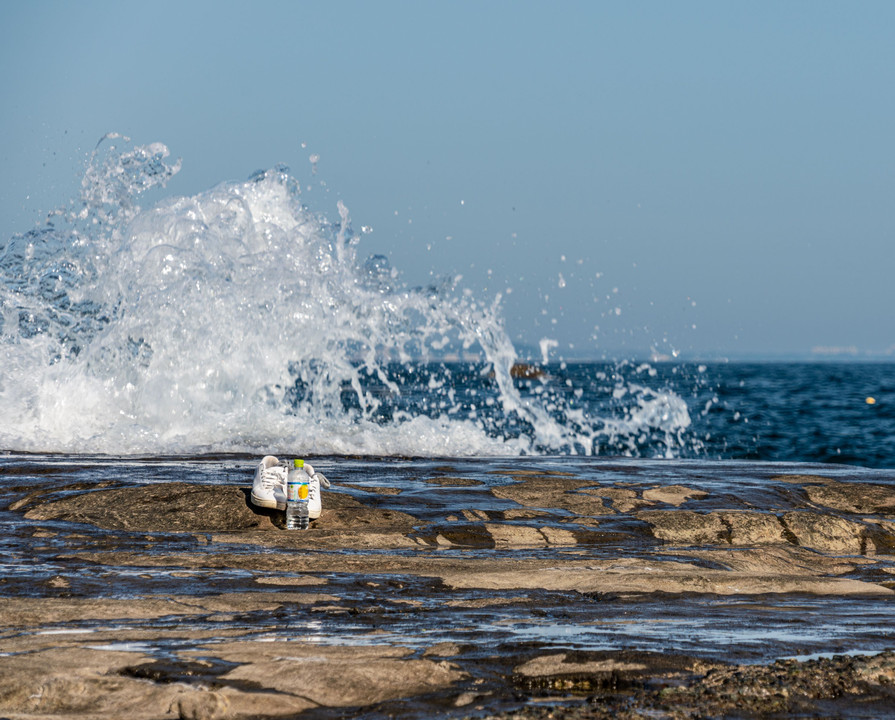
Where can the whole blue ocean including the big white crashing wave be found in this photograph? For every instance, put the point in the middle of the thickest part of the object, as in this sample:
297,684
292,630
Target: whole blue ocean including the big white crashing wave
239,320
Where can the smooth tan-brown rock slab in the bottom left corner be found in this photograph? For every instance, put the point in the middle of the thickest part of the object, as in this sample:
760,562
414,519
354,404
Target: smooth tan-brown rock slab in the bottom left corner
287,678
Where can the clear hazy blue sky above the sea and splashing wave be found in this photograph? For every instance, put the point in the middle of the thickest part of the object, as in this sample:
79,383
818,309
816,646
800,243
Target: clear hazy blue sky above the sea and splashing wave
715,179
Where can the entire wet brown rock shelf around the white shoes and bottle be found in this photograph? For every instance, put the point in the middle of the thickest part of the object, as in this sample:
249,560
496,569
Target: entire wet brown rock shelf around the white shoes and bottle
455,588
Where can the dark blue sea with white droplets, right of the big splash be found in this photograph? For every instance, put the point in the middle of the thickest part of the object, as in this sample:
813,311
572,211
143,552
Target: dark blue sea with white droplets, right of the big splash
771,411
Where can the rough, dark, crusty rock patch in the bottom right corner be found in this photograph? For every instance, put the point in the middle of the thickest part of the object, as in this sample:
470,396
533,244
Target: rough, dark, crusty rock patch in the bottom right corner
840,686
